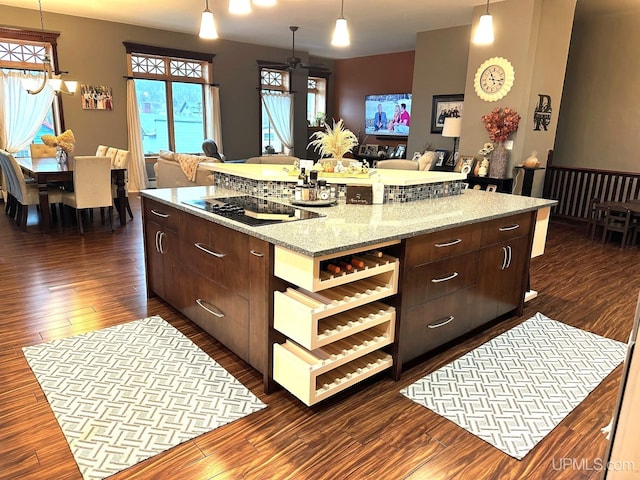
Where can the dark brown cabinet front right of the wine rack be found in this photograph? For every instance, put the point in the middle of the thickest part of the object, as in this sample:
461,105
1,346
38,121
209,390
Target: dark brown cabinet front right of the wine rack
456,280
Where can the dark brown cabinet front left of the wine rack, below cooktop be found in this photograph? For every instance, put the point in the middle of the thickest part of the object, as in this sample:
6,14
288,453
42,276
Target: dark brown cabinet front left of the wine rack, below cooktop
218,277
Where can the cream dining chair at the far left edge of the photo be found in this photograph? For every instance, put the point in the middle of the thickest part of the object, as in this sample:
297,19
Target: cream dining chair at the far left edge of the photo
21,194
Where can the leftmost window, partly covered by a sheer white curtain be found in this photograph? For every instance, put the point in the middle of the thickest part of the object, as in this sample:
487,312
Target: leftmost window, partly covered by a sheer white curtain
24,50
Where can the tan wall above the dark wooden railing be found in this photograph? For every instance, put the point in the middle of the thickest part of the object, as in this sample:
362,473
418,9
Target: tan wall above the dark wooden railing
599,123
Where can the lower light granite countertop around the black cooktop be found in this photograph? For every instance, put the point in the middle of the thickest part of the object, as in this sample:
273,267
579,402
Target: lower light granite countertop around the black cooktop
352,226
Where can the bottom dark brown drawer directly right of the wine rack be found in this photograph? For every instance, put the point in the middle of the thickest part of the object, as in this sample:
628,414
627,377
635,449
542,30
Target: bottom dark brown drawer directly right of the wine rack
432,324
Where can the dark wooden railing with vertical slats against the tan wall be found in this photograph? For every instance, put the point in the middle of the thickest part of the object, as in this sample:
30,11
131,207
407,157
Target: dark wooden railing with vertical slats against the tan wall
574,188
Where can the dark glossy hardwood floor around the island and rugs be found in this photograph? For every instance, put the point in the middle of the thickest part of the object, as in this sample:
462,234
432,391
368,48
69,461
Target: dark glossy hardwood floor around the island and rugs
63,284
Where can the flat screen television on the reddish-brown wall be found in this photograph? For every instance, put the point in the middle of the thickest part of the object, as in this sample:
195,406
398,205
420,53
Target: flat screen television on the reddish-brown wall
388,114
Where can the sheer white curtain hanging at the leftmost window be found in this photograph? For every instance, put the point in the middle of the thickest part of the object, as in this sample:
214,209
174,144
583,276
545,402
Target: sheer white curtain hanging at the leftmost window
21,114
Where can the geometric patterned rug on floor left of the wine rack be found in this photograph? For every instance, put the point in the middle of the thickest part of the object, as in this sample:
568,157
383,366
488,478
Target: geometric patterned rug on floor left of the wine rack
128,392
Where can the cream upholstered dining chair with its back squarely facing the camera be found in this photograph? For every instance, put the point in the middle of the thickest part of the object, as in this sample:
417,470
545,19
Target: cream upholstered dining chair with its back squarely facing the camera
91,187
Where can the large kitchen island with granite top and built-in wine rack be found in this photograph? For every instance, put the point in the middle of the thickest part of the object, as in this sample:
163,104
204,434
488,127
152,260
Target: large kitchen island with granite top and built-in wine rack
426,272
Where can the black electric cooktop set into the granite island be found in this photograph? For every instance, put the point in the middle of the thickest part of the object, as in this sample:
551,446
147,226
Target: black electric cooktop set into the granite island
253,211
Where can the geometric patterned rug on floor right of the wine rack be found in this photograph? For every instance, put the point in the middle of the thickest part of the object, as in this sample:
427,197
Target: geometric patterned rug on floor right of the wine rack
514,389
